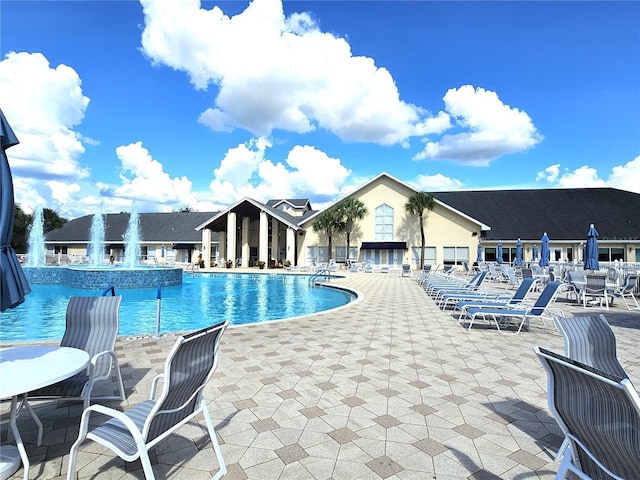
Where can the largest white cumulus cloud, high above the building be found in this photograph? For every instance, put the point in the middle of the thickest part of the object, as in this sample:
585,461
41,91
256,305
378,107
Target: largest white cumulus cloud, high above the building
278,72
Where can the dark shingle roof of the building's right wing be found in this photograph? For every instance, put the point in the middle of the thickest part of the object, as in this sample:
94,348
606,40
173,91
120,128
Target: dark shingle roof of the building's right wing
565,214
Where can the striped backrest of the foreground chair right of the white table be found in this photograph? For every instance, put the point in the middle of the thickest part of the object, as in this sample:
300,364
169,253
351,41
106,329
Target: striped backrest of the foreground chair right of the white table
187,369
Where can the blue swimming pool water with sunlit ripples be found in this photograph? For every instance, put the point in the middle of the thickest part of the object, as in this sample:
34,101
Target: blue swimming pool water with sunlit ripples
201,300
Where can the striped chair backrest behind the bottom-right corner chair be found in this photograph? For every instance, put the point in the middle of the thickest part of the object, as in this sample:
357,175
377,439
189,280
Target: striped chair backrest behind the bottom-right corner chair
591,341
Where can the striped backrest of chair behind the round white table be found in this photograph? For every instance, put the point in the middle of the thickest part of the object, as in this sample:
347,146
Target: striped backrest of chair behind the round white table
92,325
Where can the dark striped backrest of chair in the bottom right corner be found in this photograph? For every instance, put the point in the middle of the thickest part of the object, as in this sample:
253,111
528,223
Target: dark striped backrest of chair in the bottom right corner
598,412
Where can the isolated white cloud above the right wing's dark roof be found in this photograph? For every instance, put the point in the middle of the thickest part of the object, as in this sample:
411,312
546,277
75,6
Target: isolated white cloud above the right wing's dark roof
487,129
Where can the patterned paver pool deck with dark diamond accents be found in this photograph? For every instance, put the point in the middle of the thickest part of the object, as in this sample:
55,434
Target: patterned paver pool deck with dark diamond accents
390,387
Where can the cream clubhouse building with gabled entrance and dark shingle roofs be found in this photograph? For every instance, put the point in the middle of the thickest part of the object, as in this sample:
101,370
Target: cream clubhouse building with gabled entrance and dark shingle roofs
281,230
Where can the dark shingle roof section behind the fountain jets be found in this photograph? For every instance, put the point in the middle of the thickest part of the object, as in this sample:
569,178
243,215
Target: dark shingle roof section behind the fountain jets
154,227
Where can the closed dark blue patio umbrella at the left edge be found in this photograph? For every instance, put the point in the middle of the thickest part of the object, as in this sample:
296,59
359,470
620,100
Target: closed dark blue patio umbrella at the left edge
13,283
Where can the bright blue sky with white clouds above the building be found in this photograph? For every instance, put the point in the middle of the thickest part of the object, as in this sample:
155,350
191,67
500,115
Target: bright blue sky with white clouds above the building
180,103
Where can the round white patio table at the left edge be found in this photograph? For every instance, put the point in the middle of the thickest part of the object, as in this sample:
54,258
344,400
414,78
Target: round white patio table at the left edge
23,369
